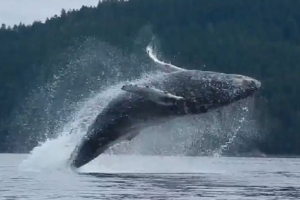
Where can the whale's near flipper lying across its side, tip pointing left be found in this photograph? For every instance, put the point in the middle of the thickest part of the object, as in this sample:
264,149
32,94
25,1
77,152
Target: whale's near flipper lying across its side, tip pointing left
153,94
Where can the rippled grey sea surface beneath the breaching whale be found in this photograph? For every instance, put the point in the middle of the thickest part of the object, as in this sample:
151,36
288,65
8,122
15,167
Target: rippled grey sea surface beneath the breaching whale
152,177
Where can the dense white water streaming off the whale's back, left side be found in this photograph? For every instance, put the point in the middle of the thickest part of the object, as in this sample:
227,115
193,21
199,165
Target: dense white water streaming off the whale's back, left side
54,152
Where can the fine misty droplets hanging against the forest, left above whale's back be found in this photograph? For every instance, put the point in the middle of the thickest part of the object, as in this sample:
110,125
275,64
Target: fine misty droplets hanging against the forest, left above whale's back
86,70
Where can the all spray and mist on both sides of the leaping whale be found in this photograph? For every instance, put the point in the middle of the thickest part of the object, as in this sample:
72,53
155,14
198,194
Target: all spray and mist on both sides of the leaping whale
59,113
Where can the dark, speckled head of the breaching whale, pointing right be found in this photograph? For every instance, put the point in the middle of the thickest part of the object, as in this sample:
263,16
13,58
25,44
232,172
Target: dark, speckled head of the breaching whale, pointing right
213,89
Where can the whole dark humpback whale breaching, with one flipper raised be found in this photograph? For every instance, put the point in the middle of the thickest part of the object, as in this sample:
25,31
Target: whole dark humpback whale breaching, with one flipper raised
177,93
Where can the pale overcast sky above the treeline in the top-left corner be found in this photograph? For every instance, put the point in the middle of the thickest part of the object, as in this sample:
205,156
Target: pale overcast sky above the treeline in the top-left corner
27,11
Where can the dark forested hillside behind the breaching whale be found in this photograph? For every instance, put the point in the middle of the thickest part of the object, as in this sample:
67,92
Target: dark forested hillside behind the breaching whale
258,38
